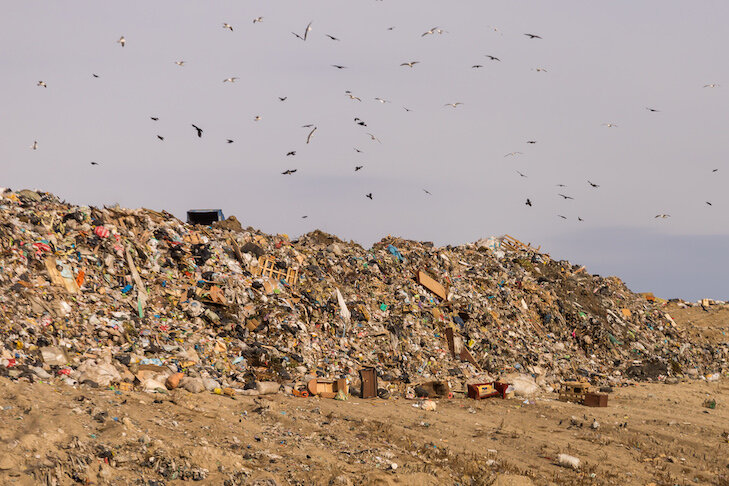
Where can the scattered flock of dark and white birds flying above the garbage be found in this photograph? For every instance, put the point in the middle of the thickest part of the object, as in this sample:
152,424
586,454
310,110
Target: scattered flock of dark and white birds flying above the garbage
311,129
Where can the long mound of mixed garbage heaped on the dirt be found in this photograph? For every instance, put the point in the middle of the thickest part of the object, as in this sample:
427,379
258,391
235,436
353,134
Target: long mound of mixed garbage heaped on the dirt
127,297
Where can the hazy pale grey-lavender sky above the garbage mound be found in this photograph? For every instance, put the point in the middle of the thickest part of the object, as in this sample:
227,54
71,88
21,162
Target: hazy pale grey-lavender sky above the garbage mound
596,64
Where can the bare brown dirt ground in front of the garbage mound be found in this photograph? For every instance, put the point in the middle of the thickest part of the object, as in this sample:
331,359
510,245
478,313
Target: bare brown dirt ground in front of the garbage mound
649,433
